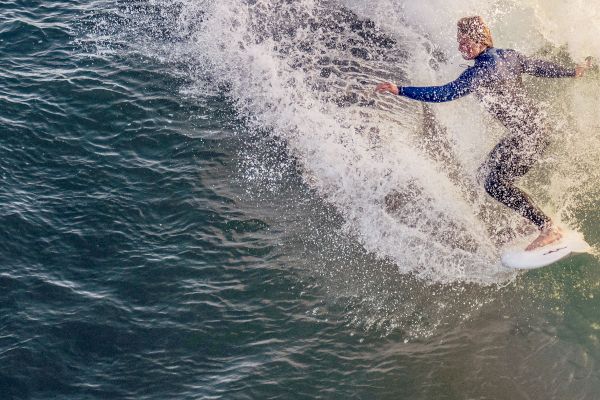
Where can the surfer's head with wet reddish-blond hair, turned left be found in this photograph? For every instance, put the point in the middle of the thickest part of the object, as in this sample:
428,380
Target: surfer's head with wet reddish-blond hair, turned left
473,37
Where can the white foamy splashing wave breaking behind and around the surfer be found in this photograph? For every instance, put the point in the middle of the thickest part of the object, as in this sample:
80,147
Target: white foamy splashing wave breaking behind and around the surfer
401,174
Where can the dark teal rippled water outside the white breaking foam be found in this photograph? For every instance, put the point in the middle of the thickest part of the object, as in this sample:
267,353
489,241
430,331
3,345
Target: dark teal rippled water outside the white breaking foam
156,245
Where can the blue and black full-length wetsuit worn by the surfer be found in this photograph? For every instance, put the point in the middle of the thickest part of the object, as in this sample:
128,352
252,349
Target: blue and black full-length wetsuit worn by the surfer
496,80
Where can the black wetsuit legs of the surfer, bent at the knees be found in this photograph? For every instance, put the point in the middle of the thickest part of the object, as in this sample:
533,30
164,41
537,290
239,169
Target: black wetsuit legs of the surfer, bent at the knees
505,164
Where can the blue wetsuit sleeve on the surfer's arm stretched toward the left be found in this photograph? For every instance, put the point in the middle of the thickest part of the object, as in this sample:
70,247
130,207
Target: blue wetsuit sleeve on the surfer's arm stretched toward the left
462,86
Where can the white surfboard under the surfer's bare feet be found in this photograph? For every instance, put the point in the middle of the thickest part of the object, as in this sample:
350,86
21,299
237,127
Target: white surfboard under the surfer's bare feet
571,242
